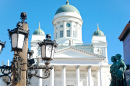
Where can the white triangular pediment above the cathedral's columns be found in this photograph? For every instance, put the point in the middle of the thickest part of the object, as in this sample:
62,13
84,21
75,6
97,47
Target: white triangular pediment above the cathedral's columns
72,52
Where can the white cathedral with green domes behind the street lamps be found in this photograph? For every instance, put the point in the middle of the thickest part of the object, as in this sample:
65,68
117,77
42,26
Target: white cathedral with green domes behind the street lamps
75,63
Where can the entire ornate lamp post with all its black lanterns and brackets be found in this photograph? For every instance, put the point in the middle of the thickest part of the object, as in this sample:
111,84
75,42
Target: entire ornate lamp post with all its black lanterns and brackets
18,36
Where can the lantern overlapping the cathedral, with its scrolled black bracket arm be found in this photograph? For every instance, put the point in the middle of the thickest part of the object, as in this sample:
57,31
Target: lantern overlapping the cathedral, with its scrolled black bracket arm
47,52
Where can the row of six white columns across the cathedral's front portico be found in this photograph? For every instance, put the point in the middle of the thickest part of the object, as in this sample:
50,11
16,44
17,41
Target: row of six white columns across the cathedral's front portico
88,73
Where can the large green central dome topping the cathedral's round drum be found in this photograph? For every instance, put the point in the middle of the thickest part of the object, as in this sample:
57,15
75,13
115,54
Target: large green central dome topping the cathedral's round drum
67,8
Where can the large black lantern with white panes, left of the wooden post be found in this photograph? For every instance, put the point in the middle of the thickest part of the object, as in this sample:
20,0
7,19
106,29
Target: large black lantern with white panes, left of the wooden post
18,36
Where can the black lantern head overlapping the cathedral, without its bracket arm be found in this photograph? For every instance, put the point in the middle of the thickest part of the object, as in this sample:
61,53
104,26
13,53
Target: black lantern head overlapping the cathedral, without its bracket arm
47,48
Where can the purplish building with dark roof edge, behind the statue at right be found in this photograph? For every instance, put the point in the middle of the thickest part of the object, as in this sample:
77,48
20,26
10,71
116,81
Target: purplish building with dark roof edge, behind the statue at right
125,38
